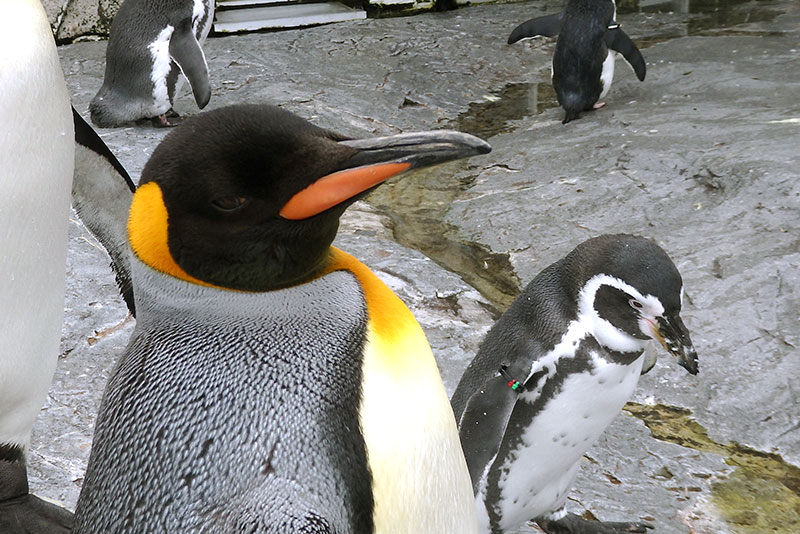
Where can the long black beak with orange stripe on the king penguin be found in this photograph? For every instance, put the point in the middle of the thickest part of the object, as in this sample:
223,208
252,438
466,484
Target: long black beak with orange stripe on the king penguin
376,160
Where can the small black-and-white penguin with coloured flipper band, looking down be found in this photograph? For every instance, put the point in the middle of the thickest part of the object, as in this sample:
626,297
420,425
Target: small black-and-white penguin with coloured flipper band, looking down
555,370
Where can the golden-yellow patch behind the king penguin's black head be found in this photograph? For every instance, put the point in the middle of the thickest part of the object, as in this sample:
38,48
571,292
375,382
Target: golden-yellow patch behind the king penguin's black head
148,221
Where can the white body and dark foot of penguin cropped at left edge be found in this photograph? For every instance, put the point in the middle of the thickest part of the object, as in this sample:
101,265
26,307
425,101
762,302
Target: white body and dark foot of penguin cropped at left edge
36,164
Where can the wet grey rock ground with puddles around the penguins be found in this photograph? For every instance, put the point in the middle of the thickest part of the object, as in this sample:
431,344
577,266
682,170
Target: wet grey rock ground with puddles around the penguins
702,156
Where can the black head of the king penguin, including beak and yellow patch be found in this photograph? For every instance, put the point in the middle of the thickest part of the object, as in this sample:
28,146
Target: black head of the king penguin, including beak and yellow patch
249,197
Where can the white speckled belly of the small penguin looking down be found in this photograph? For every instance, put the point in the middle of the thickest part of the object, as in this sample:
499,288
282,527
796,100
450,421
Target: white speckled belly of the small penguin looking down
544,468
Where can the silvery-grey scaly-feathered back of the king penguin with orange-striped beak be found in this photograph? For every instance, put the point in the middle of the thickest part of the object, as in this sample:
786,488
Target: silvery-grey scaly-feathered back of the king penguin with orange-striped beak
233,412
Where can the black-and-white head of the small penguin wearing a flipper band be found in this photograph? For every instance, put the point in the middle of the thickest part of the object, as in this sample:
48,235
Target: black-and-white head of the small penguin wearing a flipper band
631,283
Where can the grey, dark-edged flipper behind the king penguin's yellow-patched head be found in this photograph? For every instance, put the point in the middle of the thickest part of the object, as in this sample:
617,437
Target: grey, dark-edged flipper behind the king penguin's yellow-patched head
101,194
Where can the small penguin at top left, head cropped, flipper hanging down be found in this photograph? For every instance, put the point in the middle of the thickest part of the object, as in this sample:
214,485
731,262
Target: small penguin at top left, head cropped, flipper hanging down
151,42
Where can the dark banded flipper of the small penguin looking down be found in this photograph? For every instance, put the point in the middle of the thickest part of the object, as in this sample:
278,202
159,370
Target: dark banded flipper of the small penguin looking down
484,423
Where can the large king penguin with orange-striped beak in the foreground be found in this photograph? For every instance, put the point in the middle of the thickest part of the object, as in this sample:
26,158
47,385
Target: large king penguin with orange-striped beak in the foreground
272,383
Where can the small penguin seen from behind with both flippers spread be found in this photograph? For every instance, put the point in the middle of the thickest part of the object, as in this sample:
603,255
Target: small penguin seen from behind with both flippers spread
583,61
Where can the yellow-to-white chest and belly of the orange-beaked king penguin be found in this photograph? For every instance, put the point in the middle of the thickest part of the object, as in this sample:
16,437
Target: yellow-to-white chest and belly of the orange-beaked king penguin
420,481
